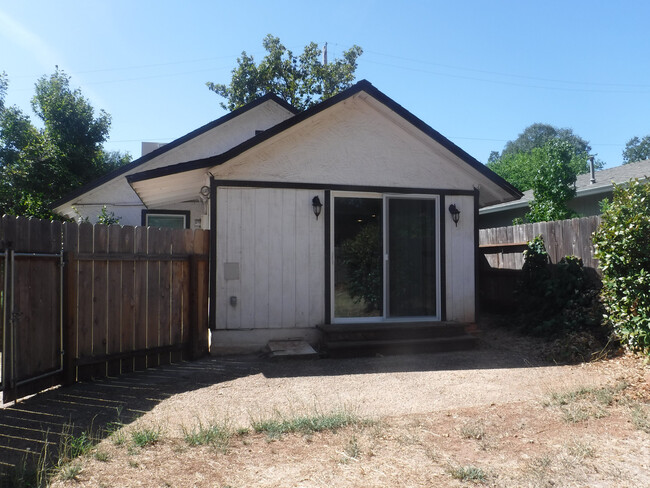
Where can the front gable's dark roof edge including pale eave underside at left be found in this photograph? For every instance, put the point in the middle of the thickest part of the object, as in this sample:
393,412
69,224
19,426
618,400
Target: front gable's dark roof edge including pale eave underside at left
499,190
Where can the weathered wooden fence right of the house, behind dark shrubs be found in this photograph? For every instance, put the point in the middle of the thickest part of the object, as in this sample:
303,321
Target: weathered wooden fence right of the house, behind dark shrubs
501,251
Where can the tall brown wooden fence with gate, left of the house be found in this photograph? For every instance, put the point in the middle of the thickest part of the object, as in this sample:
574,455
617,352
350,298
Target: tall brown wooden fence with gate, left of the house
84,301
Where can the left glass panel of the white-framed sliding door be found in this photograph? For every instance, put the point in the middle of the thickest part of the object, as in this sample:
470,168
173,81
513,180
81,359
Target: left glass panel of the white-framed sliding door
358,257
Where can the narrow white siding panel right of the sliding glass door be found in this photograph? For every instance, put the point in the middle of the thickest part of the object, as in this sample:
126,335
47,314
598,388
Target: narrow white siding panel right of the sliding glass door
460,261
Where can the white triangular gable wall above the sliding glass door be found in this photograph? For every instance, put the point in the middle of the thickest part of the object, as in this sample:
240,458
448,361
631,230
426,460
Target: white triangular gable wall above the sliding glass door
353,143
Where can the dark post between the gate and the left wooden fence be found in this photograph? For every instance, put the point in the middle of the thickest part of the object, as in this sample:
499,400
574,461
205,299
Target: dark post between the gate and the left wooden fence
69,318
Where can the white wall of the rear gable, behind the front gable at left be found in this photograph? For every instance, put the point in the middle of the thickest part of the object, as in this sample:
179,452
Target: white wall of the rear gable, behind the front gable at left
120,198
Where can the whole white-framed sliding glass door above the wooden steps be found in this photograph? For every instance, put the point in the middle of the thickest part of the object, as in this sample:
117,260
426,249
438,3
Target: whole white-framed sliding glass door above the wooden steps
385,257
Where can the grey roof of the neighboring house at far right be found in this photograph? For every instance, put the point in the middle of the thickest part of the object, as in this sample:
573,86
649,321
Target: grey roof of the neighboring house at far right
605,179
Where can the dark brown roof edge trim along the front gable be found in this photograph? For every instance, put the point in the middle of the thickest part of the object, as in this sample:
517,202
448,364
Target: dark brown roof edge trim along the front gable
361,86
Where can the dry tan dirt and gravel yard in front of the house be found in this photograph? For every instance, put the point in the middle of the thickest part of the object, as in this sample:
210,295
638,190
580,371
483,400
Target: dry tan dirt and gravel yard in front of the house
496,416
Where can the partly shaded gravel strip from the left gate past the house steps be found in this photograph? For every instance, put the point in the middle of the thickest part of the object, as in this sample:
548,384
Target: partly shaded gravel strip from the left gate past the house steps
502,370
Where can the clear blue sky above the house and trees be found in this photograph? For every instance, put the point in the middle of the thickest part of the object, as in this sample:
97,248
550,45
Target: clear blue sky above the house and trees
479,72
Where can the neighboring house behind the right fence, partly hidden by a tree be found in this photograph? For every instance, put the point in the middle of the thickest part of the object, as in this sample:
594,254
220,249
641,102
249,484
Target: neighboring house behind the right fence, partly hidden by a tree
589,193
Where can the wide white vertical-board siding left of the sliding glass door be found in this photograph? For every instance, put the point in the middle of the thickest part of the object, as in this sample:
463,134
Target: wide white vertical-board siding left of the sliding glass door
274,239
